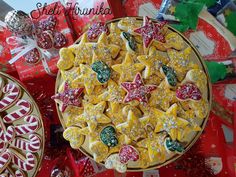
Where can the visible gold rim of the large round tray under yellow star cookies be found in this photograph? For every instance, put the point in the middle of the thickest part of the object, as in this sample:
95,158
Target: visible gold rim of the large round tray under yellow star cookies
196,58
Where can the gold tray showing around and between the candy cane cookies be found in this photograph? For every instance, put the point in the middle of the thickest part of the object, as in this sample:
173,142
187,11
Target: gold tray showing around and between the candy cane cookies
34,111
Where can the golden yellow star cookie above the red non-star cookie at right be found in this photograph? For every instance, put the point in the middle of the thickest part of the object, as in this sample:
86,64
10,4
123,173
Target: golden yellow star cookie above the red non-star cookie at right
180,62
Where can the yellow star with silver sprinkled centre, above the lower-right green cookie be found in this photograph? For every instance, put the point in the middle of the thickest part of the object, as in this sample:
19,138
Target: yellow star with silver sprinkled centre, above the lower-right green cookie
169,122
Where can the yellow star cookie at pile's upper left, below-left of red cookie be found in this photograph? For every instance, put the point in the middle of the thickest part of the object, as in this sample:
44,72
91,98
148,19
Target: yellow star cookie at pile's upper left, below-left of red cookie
83,51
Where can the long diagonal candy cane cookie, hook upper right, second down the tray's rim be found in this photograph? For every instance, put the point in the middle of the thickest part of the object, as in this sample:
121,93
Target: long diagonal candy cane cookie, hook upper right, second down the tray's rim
20,113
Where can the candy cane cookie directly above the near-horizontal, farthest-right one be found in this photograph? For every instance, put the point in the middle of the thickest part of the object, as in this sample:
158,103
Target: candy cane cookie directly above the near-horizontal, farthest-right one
32,126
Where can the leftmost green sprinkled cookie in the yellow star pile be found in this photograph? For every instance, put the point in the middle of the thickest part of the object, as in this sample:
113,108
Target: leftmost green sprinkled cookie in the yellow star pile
102,70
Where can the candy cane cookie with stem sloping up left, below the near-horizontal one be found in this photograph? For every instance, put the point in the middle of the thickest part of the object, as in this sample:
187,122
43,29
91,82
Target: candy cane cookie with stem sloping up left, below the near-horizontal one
25,164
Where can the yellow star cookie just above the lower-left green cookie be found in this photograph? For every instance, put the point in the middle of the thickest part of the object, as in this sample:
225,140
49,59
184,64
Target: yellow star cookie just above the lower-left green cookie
93,114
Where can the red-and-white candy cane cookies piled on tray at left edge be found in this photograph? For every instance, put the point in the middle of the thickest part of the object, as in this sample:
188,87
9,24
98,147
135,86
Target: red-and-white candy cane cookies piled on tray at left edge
21,139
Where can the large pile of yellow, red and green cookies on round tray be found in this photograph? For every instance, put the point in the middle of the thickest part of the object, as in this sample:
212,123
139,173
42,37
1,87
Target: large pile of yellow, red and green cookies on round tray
131,94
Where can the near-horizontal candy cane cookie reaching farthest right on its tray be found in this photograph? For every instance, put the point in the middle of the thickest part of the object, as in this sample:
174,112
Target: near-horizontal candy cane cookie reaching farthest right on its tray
31,145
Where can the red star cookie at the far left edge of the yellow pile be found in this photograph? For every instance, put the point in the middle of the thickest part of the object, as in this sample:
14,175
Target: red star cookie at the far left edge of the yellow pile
69,97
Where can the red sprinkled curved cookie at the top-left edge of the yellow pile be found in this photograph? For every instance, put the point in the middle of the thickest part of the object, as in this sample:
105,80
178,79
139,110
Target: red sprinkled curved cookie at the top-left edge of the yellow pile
96,29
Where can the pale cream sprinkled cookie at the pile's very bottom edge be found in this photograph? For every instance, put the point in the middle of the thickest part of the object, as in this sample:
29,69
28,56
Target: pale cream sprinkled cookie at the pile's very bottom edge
113,162
